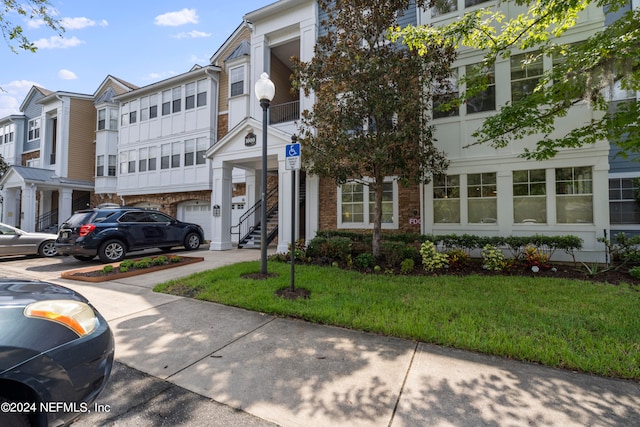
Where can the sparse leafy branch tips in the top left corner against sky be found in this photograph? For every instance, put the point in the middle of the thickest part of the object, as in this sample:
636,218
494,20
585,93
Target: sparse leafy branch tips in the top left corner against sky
31,9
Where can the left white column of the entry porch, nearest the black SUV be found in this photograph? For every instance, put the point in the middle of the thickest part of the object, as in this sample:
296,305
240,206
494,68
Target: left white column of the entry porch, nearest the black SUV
221,198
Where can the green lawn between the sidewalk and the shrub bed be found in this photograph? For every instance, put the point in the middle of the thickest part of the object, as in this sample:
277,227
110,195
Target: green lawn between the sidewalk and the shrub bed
570,324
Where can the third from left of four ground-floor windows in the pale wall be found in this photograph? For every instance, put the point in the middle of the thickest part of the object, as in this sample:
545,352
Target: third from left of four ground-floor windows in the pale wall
530,196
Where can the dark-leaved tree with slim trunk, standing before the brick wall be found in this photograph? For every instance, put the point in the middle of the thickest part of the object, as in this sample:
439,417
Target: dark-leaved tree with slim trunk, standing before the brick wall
368,121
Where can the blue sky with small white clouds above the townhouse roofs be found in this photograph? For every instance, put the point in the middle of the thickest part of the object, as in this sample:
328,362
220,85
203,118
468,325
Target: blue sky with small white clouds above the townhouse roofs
141,42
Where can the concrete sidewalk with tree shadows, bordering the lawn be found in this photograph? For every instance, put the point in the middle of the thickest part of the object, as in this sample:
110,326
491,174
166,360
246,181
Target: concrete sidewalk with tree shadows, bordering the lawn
294,373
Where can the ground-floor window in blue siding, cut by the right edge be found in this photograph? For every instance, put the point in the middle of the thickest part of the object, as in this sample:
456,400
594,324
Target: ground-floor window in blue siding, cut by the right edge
623,206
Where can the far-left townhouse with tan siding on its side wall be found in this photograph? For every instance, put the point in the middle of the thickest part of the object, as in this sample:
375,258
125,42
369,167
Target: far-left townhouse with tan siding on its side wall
53,177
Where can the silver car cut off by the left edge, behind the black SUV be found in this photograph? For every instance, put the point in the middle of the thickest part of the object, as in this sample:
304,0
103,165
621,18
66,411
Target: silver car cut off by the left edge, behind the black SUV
14,241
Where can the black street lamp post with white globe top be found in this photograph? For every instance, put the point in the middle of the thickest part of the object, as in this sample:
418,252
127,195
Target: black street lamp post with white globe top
265,90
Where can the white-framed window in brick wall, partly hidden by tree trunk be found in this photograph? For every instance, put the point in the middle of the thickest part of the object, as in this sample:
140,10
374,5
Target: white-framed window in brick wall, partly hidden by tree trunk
356,202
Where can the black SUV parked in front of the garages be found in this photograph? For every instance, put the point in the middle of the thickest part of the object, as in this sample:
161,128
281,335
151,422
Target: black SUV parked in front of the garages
110,233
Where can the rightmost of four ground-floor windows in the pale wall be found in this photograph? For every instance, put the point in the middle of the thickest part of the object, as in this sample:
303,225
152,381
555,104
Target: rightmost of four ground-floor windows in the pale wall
574,195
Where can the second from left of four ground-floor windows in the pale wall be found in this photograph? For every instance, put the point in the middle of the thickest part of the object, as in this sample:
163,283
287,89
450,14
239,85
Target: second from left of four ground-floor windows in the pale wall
482,198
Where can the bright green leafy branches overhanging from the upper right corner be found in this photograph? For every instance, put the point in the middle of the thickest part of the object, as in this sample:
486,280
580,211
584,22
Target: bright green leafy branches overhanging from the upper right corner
607,59
